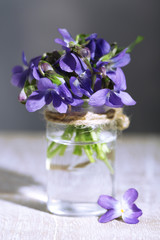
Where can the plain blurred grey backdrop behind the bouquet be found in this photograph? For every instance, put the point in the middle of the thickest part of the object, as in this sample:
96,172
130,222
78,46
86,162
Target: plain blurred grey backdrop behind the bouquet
32,26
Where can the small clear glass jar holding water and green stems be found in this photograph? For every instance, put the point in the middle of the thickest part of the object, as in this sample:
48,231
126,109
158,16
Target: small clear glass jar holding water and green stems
80,165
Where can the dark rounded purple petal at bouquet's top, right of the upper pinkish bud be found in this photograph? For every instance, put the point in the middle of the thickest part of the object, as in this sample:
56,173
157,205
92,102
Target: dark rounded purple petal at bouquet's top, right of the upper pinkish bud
102,47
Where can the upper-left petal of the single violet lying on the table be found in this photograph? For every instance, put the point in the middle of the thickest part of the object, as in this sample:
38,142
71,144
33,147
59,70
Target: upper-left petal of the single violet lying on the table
107,202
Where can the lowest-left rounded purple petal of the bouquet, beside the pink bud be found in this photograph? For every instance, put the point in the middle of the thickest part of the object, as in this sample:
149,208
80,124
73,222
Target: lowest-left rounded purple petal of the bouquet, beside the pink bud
35,101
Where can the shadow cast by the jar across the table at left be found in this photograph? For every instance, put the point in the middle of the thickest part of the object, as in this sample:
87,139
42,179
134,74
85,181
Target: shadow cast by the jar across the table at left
11,182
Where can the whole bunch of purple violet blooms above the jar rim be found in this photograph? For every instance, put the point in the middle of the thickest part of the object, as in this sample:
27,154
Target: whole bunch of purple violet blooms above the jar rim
87,68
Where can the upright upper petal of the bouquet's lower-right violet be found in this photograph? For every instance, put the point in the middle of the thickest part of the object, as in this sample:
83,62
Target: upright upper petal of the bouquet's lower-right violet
118,78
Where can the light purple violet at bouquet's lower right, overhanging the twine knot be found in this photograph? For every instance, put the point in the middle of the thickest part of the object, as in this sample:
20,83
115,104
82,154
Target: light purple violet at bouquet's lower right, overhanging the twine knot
116,97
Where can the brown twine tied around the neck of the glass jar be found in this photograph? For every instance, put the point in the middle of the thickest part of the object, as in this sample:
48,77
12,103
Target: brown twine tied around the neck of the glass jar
114,118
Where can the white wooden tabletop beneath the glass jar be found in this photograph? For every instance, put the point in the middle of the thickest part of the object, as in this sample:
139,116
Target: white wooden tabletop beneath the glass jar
23,213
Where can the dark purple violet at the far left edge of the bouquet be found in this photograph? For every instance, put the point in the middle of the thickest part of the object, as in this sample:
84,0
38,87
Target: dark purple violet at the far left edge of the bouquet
20,75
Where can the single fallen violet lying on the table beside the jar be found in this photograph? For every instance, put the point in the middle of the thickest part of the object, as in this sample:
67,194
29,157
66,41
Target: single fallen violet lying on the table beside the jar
124,208
